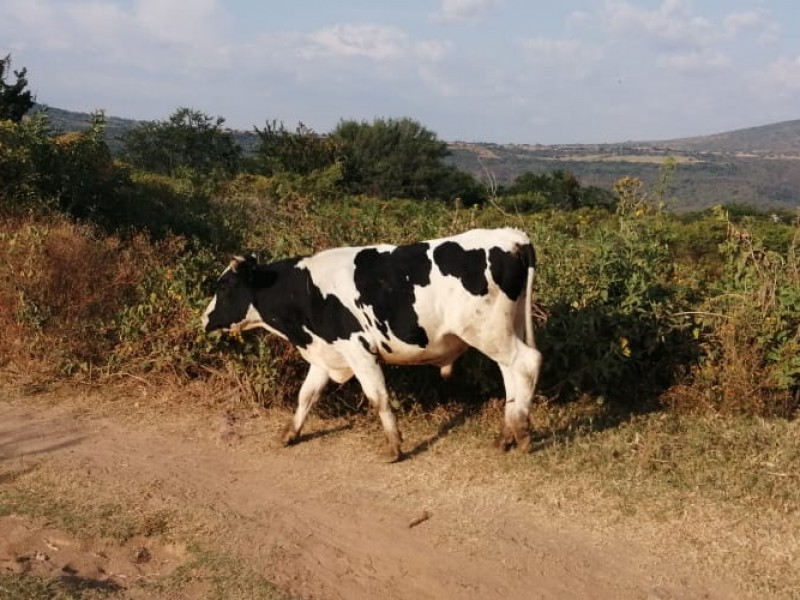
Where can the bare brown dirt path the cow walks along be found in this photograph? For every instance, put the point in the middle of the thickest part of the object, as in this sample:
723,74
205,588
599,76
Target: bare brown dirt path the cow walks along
324,519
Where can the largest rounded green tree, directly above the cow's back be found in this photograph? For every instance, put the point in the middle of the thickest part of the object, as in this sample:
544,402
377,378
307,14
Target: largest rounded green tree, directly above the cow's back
392,158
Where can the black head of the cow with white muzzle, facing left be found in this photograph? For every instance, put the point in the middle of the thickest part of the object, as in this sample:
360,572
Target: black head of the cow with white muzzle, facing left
233,299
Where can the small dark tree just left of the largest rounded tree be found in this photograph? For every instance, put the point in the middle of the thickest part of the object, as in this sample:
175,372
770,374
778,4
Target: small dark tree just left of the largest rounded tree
301,152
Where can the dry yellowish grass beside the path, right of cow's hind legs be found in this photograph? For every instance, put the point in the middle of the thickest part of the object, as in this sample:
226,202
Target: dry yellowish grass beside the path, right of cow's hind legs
724,492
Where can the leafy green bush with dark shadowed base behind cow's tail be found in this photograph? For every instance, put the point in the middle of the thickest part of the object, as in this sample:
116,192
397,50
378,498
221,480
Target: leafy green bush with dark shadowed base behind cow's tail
612,330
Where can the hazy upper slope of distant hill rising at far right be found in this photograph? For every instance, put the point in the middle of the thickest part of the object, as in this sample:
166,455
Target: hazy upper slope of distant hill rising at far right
777,139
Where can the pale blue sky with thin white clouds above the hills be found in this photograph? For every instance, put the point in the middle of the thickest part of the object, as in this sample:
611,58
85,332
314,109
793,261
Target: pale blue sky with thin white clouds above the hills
501,71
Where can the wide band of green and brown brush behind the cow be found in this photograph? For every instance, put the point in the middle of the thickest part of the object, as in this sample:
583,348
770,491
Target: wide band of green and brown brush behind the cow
625,313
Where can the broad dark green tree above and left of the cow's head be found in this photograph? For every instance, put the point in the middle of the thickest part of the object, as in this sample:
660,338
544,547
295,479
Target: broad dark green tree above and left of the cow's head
189,142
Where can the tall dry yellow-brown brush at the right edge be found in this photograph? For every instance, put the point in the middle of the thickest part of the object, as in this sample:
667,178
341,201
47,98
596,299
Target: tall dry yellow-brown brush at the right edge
749,328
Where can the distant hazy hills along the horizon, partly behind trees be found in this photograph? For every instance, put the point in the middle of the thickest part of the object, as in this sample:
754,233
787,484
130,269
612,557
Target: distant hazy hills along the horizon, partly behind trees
759,166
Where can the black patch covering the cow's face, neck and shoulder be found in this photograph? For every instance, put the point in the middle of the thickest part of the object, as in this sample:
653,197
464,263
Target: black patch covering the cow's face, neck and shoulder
288,300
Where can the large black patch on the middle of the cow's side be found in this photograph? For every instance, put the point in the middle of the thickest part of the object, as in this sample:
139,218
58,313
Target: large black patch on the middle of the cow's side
385,281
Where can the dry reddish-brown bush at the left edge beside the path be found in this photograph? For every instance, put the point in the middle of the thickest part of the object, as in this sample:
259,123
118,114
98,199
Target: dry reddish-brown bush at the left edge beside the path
61,282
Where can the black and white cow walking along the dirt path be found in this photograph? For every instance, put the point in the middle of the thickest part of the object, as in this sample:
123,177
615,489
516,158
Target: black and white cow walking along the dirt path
348,309
